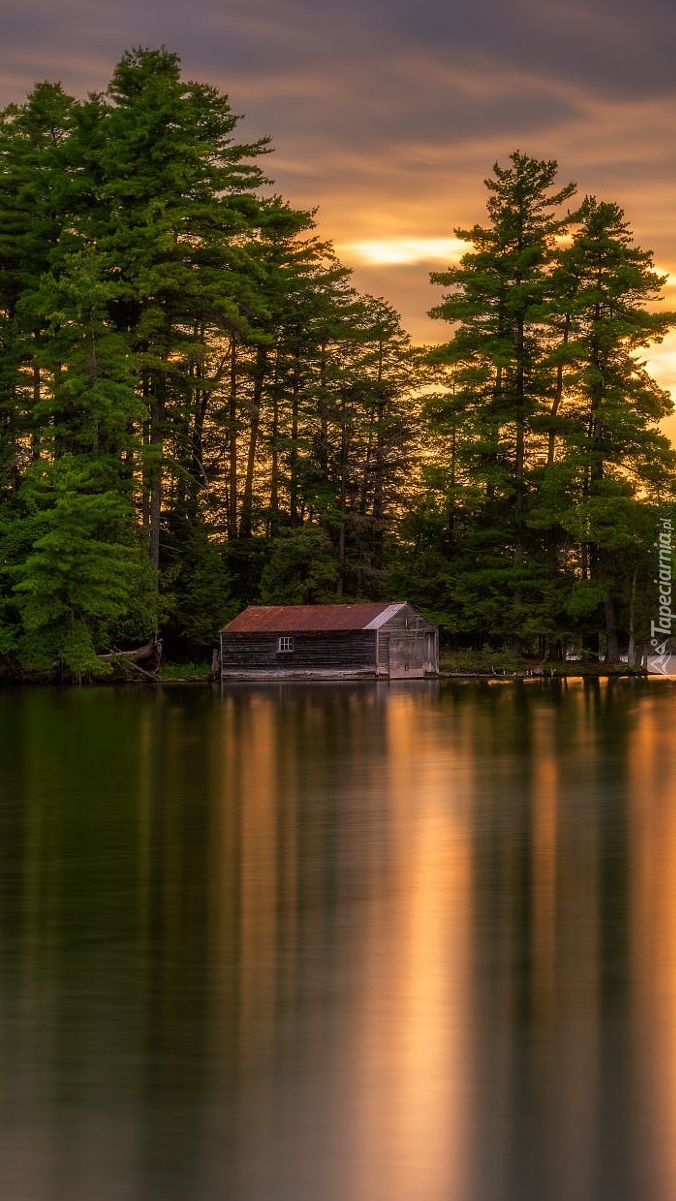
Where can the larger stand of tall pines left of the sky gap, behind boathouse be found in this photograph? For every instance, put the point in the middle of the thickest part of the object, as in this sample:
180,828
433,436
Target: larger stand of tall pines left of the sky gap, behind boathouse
198,408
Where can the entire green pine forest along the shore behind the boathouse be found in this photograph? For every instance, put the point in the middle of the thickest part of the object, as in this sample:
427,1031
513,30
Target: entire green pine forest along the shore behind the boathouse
200,411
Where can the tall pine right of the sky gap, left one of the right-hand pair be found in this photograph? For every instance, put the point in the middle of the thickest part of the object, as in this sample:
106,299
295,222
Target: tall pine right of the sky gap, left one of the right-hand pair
501,308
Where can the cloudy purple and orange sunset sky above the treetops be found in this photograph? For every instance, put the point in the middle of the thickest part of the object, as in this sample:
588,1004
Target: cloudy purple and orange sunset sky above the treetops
388,115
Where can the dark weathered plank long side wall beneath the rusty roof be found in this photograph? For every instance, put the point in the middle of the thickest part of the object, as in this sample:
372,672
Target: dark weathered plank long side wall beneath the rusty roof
351,653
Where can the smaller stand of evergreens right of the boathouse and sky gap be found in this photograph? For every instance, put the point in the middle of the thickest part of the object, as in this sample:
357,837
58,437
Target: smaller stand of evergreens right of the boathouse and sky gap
537,527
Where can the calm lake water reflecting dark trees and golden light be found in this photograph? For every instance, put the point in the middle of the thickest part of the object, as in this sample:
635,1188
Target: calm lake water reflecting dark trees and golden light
339,943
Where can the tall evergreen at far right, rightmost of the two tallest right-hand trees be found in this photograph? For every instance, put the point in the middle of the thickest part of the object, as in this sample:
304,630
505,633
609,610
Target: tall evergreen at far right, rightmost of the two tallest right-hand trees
620,464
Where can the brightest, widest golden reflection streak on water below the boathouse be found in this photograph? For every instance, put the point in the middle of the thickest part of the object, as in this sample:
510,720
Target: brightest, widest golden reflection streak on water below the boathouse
411,1024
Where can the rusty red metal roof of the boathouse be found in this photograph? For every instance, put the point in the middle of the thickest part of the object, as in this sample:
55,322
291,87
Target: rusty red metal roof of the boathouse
303,619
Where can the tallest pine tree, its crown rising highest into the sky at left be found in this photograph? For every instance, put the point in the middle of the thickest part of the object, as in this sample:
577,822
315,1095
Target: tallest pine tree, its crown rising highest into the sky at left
175,211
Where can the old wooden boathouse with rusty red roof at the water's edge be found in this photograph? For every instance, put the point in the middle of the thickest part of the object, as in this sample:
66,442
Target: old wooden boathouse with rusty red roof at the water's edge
386,641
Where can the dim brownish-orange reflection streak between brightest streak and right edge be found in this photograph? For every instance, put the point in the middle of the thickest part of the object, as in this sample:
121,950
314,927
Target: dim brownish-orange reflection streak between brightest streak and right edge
566,948
